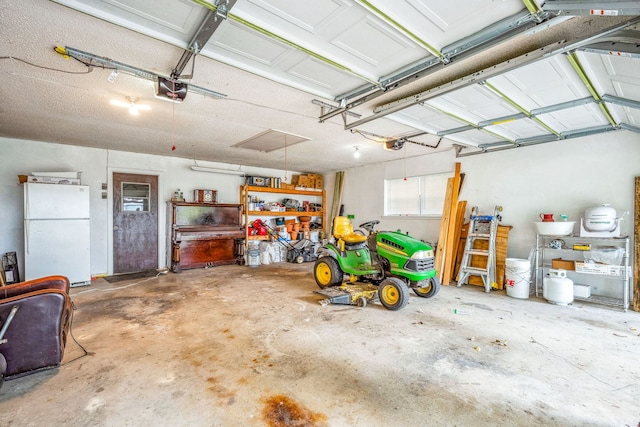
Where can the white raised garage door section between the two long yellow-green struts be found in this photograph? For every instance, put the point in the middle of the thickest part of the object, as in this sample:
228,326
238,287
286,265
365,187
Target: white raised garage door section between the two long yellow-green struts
339,30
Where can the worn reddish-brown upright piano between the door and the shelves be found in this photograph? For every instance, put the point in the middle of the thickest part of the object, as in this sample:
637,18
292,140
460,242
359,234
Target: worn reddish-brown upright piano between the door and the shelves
205,234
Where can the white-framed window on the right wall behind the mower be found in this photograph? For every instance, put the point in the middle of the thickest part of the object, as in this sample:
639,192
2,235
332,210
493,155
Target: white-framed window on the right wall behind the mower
415,196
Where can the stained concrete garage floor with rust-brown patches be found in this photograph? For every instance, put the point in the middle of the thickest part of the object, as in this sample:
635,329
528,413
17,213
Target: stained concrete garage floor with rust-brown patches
240,346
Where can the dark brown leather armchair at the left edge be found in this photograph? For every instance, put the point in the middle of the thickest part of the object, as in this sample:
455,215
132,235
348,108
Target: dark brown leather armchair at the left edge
34,323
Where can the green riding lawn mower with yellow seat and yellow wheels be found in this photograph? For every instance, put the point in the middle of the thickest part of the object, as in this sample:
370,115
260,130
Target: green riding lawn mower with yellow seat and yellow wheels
382,265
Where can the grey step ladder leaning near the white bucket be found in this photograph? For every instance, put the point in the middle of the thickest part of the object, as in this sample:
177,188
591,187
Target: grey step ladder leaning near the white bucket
481,227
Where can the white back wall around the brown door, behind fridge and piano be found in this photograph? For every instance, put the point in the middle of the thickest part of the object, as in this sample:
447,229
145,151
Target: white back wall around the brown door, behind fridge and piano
20,157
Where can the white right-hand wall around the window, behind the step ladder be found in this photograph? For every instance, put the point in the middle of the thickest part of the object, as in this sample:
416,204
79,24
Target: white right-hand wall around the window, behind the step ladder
560,177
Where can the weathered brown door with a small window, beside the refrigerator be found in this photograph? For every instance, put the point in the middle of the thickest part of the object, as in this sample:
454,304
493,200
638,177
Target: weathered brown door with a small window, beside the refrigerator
135,222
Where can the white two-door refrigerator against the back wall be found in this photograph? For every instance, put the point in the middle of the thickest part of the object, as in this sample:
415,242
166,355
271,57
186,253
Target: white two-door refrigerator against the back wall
57,232
